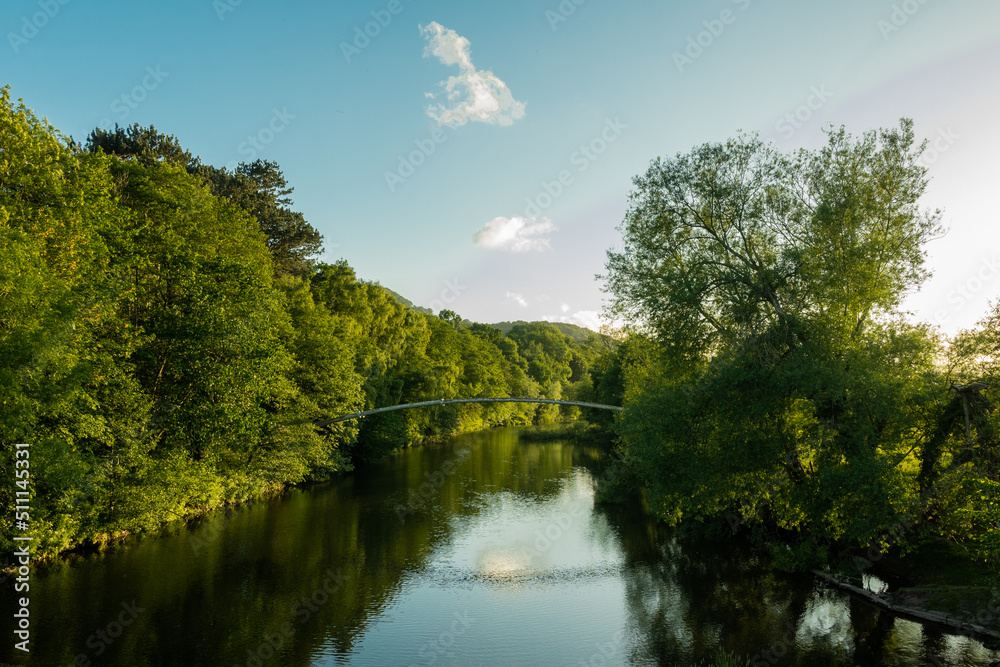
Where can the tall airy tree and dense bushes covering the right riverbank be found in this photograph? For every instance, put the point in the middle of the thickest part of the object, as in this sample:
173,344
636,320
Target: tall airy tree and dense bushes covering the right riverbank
770,377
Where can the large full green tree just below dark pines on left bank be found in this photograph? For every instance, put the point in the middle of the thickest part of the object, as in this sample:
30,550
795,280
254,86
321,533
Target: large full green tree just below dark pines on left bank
216,360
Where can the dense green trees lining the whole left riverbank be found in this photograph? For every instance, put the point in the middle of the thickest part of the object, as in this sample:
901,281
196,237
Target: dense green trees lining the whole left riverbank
168,339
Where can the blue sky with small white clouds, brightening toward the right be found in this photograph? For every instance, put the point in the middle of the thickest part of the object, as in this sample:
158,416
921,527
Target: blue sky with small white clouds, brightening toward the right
588,92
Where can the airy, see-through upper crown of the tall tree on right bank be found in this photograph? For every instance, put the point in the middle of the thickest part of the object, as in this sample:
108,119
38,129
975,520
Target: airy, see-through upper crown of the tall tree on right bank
729,241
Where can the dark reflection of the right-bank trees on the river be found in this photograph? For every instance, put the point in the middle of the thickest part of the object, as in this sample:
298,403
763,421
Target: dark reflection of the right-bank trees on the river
691,598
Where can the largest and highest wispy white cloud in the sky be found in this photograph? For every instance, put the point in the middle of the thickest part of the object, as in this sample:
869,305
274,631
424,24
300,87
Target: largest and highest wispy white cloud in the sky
473,95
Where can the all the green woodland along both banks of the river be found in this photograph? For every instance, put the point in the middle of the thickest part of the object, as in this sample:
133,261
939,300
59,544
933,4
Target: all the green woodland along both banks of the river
169,339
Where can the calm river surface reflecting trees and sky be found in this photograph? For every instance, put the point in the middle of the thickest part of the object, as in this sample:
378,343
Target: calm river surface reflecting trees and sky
481,551
